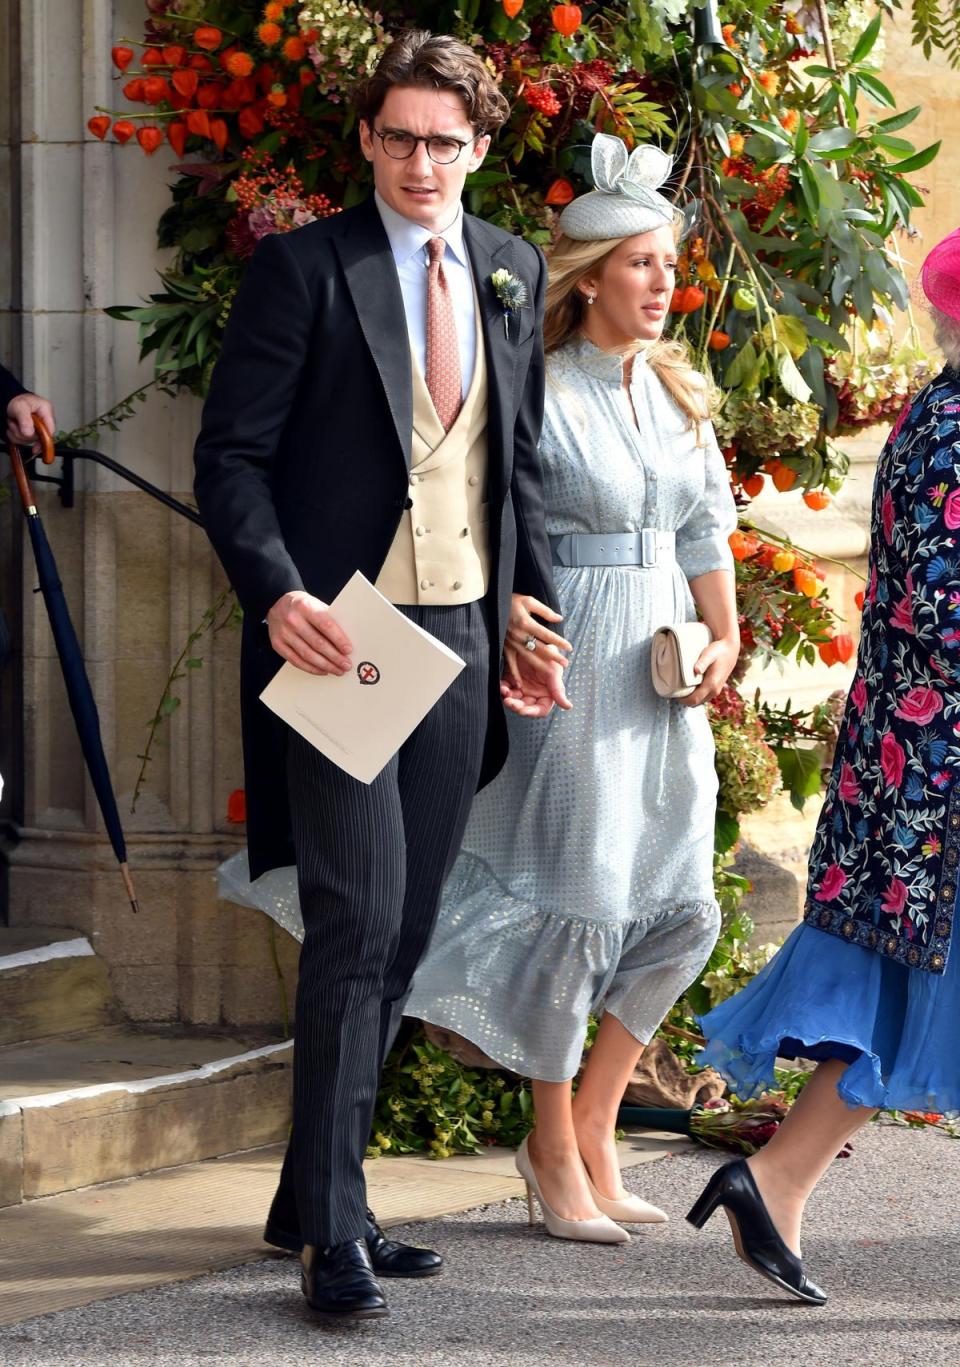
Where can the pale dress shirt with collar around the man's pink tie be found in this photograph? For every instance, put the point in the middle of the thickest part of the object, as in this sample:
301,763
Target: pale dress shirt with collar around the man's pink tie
408,243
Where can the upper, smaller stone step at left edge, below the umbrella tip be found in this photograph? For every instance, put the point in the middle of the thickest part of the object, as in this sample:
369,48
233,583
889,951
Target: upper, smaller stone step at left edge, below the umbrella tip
51,982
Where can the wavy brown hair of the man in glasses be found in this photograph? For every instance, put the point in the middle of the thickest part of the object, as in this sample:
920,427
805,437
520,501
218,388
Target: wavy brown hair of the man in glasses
436,62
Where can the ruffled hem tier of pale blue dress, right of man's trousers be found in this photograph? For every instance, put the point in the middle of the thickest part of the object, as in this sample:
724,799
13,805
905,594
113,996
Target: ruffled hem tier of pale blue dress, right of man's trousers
520,982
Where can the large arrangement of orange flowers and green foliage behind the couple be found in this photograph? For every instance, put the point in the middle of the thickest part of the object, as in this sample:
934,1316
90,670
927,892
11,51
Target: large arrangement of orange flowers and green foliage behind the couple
782,129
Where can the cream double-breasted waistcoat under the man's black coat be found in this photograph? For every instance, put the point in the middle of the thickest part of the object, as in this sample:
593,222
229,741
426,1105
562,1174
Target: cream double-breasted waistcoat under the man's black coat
441,554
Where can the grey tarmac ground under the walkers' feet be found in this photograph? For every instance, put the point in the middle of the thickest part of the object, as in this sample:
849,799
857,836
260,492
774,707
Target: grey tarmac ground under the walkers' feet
883,1238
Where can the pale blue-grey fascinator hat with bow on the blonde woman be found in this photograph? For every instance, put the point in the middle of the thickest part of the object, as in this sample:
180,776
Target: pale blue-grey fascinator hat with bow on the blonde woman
626,200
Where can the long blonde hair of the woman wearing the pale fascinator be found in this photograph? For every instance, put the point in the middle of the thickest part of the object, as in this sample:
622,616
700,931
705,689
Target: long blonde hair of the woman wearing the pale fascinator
567,311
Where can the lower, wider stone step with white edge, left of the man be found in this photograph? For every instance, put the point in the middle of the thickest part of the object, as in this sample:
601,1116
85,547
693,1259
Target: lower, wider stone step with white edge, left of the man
98,1105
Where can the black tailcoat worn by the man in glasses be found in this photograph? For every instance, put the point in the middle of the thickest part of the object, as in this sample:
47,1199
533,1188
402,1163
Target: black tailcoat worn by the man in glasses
303,460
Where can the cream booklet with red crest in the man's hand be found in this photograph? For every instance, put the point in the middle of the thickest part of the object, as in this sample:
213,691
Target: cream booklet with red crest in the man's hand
360,720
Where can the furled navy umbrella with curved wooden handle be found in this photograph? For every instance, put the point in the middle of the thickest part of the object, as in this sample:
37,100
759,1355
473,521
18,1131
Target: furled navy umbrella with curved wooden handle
72,661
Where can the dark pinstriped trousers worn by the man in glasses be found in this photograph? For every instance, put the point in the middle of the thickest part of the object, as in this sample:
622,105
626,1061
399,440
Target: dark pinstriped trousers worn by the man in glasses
371,865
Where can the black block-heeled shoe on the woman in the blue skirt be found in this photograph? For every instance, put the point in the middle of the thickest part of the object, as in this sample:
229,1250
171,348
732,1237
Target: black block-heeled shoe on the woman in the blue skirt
754,1234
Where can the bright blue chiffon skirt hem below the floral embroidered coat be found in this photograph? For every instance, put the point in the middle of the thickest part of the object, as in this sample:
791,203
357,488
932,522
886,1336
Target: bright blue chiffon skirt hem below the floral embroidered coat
821,997
